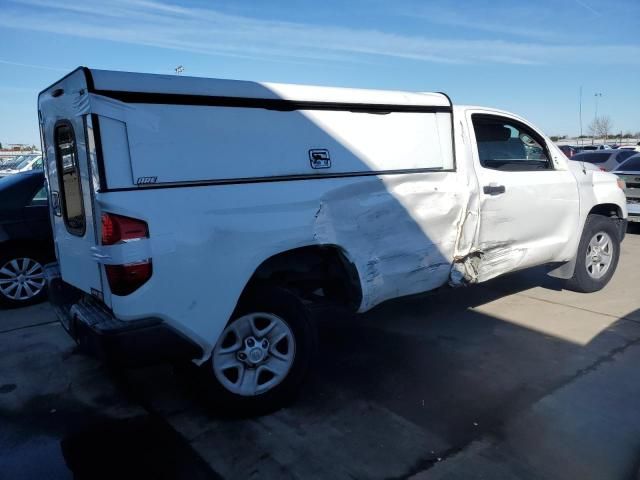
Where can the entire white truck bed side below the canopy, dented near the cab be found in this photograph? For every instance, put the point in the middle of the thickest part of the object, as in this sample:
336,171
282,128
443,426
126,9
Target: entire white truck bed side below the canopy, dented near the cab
398,230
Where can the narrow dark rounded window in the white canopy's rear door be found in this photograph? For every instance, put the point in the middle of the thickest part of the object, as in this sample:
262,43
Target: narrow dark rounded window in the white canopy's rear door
69,177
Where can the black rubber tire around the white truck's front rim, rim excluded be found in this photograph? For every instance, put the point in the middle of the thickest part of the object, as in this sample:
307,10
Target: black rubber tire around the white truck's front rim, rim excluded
581,280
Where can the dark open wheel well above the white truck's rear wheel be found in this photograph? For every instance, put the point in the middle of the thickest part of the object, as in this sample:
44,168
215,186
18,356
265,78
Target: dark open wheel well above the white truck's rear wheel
316,273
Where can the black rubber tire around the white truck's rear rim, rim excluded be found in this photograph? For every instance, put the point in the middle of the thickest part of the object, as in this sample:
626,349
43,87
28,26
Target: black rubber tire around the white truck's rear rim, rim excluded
288,307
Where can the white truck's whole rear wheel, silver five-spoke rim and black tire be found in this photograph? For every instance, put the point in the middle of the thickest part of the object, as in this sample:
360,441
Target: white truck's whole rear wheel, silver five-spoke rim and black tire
262,356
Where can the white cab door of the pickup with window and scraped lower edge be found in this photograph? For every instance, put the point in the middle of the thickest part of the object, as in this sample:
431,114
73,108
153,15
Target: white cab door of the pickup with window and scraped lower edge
529,201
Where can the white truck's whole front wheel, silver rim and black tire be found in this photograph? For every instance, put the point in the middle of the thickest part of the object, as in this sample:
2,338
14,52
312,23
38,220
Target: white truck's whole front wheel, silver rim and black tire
598,255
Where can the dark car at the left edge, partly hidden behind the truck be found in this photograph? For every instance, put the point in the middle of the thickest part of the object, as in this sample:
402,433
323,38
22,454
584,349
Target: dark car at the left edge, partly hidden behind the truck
26,241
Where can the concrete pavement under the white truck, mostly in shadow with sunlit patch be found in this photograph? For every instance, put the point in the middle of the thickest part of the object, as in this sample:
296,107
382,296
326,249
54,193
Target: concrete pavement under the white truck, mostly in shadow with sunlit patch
516,378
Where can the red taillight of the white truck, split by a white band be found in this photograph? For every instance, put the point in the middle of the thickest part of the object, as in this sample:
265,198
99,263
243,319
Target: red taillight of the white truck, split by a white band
127,278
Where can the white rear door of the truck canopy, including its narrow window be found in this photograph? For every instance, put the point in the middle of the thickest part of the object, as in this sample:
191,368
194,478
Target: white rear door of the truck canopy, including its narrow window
71,204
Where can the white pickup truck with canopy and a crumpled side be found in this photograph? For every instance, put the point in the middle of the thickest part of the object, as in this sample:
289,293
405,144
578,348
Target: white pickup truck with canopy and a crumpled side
199,218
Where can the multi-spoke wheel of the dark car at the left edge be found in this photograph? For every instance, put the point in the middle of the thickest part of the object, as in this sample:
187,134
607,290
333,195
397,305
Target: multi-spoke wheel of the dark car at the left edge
22,280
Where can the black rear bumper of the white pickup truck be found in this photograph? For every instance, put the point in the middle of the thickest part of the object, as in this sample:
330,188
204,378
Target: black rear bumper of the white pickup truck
99,333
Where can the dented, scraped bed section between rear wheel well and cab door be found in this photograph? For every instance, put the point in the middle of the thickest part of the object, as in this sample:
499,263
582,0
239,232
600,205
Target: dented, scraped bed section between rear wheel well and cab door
400,231
